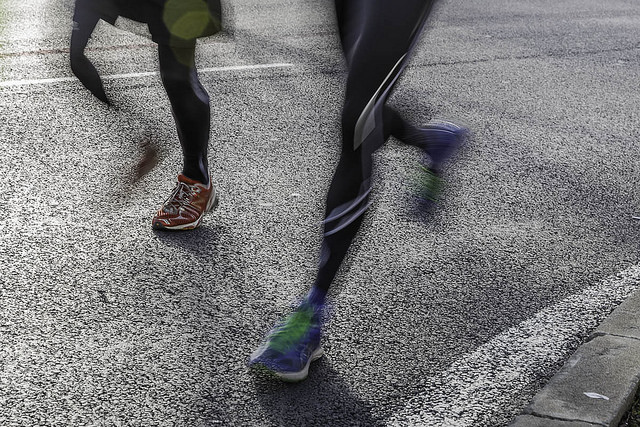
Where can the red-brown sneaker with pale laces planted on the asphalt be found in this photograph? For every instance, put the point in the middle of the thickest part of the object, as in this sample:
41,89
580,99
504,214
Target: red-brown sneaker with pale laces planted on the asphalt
186,206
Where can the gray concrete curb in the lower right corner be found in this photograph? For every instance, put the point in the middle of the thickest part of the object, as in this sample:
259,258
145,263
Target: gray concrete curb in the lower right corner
607,367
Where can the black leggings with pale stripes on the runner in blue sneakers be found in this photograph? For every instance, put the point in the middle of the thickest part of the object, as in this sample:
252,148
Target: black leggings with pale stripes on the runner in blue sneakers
377,37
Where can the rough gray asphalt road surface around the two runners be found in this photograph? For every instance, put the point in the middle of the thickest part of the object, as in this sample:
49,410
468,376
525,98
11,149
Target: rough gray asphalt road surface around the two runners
105,322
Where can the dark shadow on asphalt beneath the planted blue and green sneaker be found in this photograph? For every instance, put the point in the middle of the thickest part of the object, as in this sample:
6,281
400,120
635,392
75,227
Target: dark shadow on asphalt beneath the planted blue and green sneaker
323,399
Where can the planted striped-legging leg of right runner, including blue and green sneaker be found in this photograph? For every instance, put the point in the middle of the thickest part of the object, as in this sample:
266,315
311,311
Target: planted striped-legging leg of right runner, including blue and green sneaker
374,62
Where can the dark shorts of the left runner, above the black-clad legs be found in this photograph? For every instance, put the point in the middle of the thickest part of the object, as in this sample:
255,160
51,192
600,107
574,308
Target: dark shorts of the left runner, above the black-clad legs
175,23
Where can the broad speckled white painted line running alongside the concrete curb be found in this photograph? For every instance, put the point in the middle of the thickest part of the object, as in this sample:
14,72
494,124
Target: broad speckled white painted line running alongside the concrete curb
489,386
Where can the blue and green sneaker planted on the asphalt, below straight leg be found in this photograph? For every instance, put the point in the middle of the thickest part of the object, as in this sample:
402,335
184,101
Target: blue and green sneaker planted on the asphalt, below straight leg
292,345
